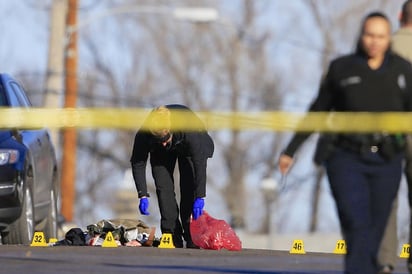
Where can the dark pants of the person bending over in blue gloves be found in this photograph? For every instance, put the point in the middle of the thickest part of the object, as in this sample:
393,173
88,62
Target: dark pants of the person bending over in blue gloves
163,165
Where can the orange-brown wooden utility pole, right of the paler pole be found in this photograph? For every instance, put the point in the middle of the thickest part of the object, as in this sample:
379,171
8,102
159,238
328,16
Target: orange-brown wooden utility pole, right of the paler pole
68,179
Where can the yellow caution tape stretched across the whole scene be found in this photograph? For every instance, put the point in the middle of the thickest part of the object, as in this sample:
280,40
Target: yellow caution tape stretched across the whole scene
132,119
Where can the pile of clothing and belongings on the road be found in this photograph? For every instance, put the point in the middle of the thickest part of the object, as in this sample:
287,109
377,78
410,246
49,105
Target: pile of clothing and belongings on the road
126,232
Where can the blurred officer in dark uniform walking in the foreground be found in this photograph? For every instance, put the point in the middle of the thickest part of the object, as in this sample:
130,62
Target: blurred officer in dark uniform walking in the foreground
364,170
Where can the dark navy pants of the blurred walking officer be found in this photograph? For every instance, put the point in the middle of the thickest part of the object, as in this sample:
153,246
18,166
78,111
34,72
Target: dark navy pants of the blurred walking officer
364,189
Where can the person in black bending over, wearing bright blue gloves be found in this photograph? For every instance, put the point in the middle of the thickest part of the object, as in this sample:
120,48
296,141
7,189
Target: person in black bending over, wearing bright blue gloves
191,148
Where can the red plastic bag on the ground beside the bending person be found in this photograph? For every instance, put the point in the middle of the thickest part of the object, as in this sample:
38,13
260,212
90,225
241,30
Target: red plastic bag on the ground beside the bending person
210,233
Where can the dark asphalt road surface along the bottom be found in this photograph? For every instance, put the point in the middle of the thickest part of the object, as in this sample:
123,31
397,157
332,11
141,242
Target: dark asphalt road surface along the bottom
70,259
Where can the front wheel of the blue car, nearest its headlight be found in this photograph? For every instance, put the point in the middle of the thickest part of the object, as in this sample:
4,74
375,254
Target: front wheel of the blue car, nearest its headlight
21,231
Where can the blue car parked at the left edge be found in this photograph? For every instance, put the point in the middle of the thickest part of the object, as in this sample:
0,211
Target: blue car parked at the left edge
28,175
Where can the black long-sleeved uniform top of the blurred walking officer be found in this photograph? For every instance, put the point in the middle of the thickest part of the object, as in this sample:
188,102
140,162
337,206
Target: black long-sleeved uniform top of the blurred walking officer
351,85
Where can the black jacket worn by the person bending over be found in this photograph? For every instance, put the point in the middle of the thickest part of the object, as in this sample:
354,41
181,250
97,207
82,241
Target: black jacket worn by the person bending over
196,145
